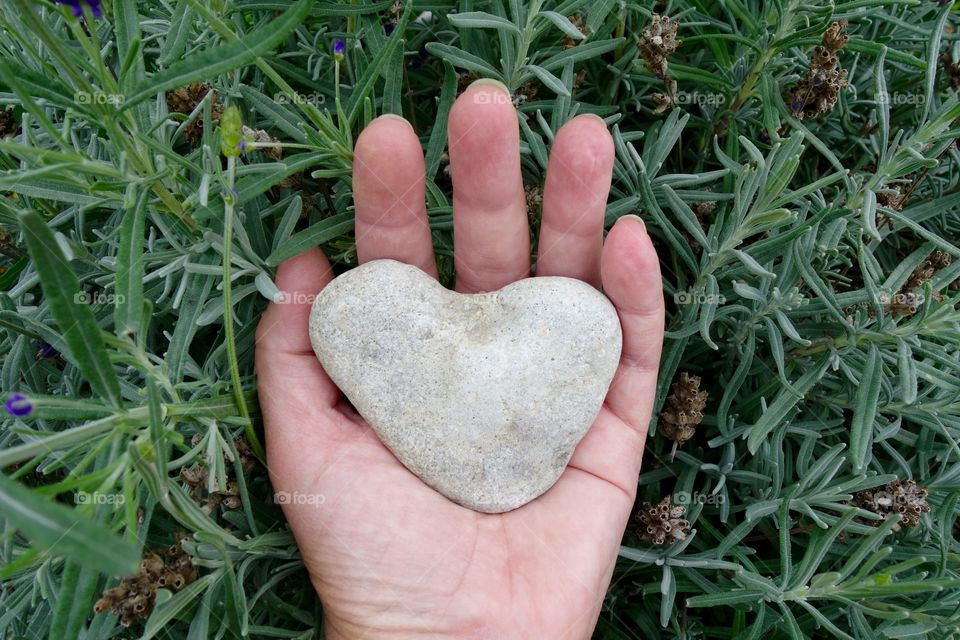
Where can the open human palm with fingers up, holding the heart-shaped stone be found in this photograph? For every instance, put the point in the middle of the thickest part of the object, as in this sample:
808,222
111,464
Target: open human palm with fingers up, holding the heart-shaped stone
389,556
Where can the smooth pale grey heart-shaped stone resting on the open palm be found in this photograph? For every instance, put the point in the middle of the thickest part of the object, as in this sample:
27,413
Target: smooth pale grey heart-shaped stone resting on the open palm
482,396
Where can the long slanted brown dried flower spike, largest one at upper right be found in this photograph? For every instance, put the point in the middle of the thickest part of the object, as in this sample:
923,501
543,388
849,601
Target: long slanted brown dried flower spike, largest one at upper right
817,92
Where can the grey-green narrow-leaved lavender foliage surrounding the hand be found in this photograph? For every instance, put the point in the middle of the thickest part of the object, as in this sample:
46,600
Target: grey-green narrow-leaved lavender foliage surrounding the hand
137,261
